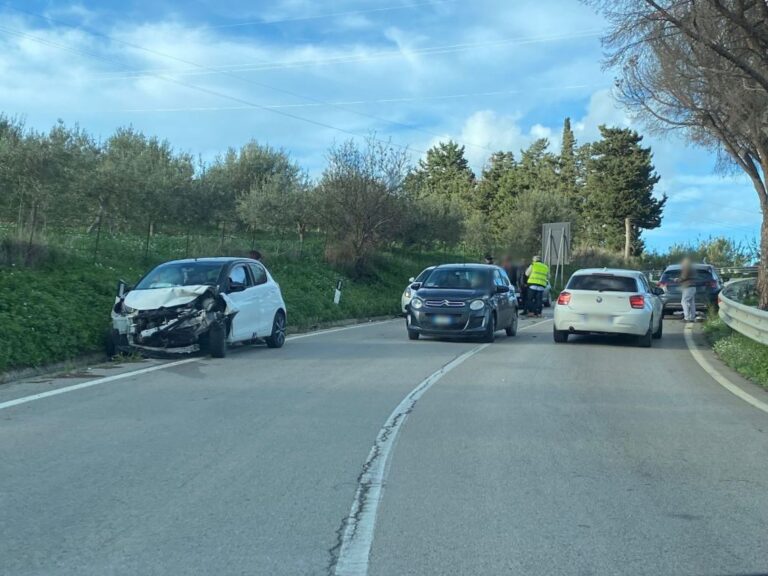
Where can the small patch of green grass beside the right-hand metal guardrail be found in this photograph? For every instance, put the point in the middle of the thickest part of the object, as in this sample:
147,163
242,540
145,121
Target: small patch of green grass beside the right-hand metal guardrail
747,357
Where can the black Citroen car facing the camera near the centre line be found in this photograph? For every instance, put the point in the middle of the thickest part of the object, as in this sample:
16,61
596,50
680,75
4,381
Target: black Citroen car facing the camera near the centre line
461,301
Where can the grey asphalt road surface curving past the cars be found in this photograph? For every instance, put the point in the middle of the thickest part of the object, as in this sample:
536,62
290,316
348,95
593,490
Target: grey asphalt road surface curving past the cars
528,458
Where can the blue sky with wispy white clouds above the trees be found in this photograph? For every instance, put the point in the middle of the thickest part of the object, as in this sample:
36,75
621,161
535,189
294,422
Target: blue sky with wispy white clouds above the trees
302,74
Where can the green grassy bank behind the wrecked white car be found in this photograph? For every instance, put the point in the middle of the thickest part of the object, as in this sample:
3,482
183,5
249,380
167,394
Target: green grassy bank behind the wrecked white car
59,309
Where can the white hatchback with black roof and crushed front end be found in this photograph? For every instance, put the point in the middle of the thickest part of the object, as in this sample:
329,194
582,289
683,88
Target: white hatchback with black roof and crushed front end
203,304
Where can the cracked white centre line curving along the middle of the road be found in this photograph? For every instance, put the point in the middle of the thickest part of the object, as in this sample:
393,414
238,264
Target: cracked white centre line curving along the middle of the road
357,536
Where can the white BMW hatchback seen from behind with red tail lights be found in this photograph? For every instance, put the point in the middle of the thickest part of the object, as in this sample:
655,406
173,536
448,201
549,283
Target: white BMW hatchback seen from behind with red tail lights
609,301
